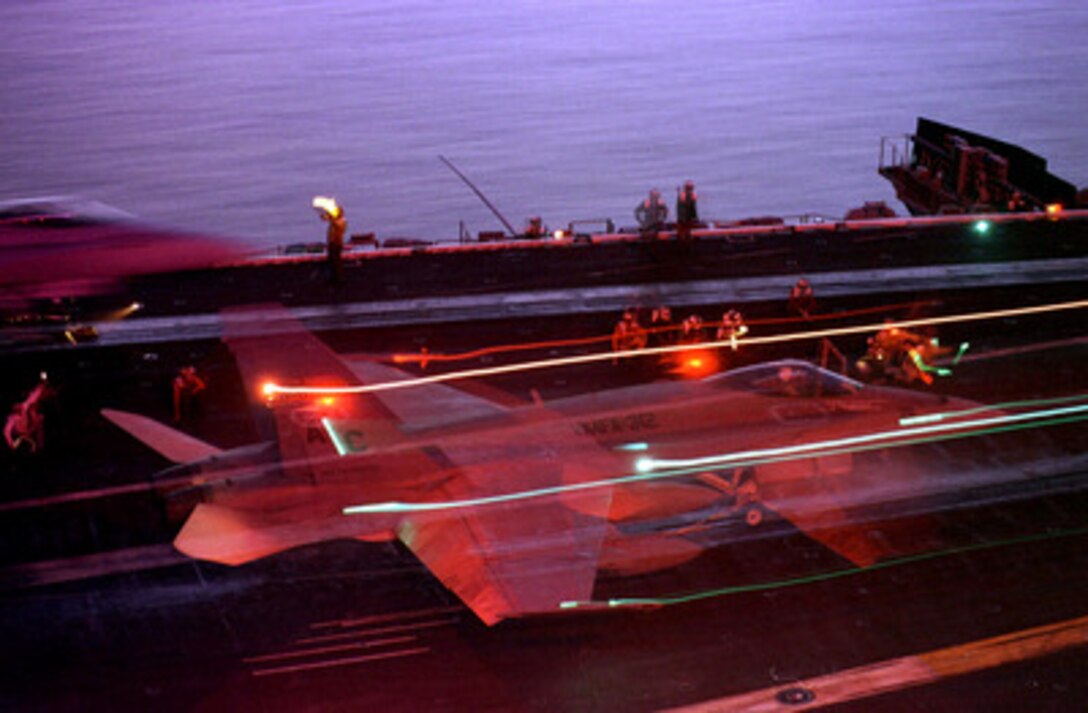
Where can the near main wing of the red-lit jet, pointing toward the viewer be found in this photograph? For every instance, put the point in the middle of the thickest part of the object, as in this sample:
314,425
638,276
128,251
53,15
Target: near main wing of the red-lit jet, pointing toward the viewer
521,534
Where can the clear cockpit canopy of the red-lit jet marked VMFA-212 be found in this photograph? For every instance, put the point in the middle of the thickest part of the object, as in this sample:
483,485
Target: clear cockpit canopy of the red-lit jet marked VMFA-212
788,378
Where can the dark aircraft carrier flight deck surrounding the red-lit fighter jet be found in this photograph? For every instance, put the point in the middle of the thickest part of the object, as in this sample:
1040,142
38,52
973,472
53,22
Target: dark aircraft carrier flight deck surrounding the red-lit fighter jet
100,612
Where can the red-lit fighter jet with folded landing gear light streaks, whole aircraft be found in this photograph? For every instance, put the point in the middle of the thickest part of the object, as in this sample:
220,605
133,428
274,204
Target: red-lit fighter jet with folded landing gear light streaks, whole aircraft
517,509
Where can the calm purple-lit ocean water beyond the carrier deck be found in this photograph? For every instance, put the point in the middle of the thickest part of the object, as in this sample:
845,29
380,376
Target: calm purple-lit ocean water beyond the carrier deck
228,118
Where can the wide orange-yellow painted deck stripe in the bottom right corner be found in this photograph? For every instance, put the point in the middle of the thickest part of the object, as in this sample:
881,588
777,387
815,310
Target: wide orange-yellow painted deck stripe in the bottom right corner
897,674
